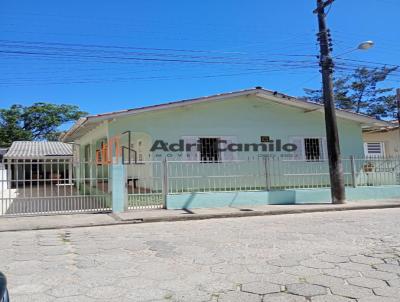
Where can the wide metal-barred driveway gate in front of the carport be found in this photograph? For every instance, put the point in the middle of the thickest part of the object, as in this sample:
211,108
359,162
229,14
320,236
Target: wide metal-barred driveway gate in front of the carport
51,186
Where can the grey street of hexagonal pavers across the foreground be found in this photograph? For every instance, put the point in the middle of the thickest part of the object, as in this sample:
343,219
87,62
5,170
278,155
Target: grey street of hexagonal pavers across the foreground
348,256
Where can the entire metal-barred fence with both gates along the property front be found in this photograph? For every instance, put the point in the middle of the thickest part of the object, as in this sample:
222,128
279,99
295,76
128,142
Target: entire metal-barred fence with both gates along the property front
51,186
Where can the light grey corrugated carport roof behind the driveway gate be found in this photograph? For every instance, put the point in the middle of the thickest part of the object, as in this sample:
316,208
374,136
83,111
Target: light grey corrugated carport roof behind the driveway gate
38,150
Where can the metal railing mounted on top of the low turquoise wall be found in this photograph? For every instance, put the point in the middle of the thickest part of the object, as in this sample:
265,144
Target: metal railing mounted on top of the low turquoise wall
277,174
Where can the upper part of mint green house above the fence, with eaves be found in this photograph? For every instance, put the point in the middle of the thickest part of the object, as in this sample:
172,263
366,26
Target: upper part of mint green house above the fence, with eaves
240,119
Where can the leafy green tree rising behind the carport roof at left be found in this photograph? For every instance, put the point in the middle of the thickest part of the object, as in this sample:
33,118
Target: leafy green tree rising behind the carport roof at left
41,121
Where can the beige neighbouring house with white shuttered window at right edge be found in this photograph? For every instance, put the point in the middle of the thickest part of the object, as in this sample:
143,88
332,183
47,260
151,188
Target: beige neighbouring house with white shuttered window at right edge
384,142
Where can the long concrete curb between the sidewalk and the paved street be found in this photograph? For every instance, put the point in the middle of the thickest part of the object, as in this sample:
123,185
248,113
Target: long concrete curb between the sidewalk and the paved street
119,221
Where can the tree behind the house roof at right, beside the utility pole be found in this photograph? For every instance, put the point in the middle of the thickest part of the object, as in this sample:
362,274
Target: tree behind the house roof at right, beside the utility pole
359,93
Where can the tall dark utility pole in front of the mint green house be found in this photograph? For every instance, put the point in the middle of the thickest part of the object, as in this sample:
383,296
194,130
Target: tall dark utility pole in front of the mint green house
335,163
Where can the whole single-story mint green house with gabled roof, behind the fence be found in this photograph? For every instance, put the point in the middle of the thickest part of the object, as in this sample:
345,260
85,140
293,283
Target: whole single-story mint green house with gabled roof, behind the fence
250,124
